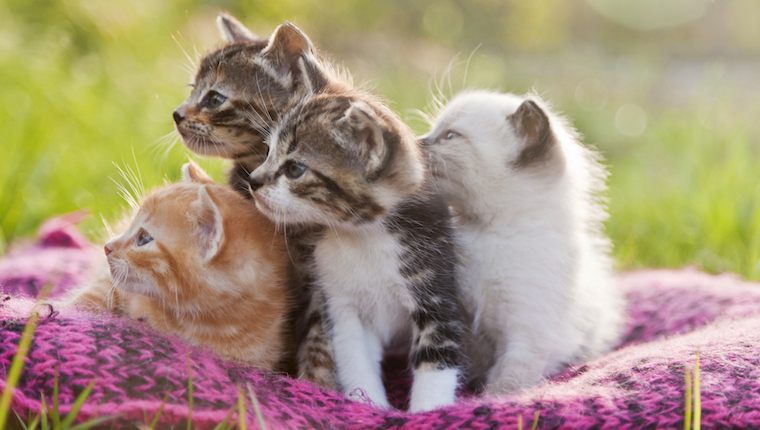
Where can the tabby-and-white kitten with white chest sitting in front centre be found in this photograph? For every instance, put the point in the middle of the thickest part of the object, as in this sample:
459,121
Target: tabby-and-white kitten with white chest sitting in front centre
384,261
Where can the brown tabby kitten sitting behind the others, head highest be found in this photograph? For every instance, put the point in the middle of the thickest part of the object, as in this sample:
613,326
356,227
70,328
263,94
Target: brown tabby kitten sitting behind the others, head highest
239,92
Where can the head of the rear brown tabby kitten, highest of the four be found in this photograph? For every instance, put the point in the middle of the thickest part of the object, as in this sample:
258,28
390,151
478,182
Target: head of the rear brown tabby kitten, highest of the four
242,88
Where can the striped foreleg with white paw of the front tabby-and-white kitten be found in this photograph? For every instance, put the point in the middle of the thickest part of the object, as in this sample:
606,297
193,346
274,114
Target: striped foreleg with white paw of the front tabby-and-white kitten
435,354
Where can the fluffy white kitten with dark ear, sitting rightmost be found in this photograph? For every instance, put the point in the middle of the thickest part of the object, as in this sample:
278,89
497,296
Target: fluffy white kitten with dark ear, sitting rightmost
536,271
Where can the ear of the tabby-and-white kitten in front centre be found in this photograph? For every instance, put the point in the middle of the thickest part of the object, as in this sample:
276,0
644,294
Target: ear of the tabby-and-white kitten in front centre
369,134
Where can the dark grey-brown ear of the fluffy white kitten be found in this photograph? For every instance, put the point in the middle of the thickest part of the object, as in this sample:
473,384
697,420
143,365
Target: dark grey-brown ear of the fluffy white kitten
531,124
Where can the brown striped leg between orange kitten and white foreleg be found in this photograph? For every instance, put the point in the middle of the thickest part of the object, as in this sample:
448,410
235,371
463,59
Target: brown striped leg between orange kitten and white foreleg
315,353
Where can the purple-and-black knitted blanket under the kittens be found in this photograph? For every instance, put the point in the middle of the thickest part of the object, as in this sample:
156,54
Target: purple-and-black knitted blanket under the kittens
672,315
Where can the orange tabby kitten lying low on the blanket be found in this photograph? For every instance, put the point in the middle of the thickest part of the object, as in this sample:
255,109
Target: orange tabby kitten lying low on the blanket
199,261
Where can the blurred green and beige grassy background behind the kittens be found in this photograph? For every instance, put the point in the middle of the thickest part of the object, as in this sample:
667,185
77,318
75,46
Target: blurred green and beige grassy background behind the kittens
667,90
